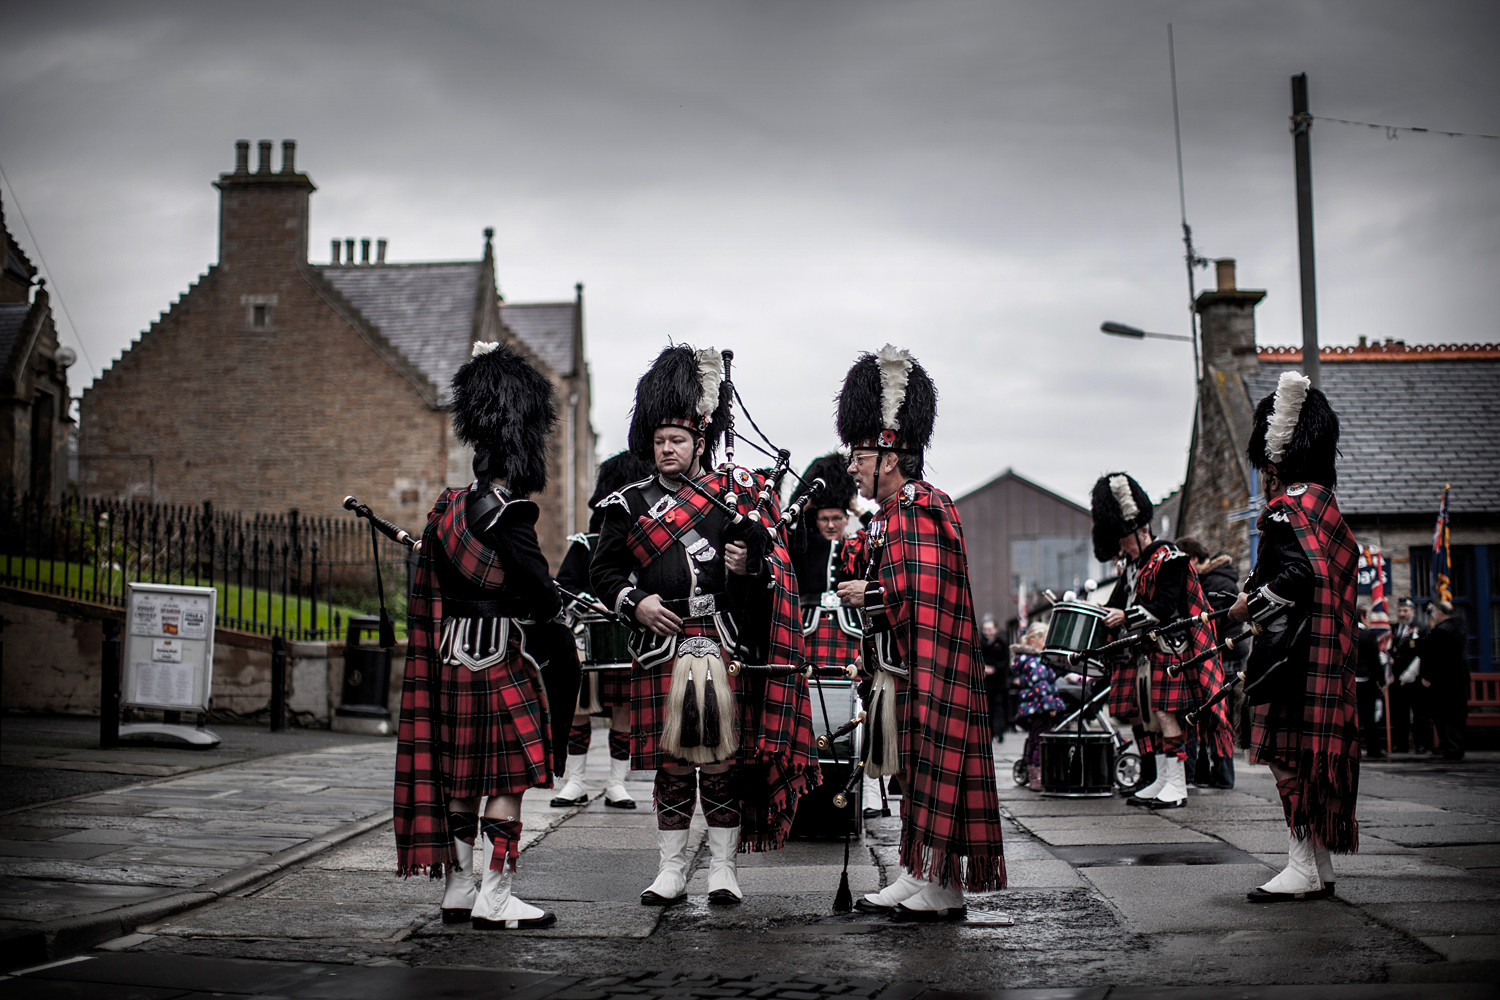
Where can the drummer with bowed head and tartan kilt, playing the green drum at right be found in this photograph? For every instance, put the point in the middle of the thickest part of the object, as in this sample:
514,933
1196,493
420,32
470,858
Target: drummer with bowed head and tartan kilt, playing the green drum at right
1159,587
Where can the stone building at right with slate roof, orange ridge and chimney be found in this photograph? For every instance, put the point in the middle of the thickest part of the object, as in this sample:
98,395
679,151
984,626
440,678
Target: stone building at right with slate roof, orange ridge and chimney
1412,421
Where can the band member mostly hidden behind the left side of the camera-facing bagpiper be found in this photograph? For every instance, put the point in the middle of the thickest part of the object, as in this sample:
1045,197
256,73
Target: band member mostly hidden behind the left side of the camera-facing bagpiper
602,692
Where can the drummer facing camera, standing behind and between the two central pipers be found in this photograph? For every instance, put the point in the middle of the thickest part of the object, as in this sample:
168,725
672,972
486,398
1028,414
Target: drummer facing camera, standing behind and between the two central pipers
824,555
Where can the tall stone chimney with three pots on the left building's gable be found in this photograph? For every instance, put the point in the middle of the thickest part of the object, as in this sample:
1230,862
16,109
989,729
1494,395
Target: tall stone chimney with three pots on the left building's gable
263,217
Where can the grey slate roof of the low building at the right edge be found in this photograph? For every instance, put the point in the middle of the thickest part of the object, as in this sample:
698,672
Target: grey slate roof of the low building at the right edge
1408,428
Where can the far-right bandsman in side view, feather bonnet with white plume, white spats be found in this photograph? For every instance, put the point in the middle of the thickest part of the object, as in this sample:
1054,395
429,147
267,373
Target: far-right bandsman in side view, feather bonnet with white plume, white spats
1303,597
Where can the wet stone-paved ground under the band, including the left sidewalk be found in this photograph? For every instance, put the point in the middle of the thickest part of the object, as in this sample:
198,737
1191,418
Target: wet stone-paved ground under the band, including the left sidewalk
1102,894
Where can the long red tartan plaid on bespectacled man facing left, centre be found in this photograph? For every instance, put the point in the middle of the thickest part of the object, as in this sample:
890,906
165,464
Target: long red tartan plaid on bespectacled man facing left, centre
950,815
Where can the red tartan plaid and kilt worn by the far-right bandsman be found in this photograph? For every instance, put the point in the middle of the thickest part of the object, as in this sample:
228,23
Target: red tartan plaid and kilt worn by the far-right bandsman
1321,746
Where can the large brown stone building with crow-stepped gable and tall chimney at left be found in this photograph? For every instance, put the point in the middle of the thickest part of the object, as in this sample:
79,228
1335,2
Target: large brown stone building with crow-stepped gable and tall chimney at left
275,385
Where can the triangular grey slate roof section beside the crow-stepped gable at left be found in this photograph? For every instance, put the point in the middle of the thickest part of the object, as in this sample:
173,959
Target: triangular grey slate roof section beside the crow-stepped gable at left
427,311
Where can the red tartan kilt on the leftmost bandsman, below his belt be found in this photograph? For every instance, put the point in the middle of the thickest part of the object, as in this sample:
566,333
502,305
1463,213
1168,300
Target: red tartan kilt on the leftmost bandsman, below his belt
481,747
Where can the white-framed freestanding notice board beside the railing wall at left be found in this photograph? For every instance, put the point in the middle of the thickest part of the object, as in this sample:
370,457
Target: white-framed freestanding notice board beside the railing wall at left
169,647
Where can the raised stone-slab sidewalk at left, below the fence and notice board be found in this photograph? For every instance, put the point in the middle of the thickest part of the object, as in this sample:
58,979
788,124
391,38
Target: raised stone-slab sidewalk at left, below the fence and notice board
85,870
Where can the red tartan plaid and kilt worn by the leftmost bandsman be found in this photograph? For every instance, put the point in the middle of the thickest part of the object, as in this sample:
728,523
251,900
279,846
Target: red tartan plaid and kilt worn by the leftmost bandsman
424,755
